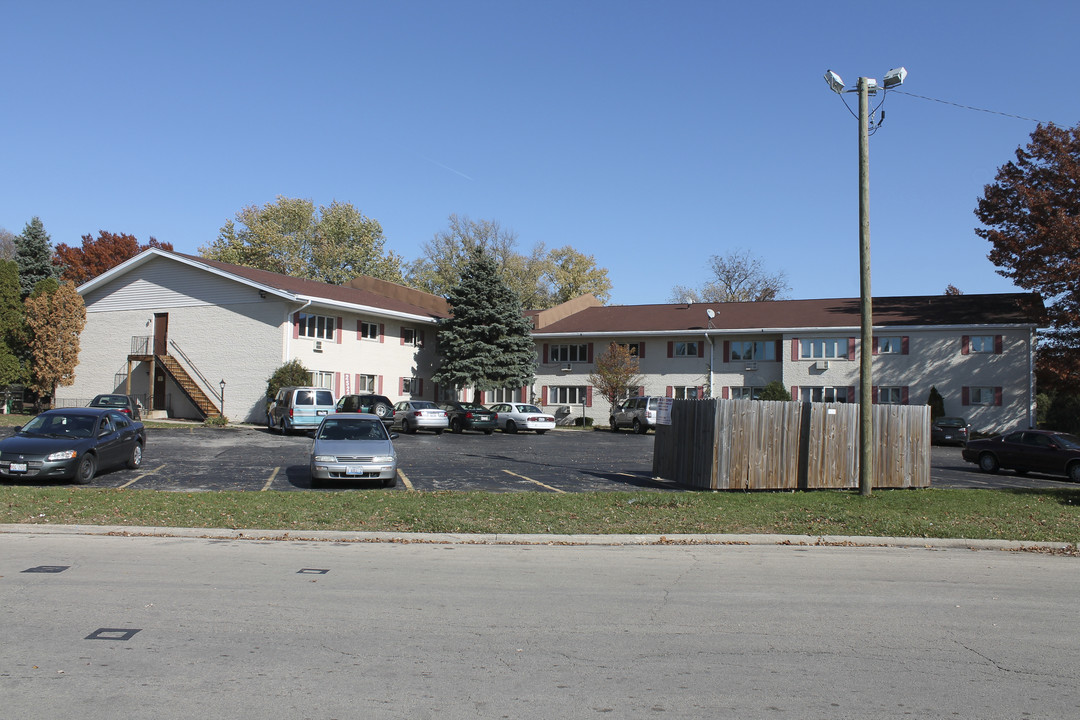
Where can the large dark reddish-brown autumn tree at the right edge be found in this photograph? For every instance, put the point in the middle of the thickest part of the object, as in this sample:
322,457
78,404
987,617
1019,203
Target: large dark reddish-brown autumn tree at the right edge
1032,218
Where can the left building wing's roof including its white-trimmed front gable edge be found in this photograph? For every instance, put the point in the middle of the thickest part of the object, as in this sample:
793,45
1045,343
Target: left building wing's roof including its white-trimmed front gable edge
377,295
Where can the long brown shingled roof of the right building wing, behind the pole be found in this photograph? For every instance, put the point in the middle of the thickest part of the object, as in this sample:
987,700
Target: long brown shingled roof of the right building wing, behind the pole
1007,309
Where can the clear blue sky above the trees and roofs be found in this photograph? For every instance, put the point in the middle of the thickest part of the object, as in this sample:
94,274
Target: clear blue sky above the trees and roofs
651,135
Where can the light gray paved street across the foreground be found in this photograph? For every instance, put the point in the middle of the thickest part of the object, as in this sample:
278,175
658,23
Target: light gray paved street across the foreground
103,628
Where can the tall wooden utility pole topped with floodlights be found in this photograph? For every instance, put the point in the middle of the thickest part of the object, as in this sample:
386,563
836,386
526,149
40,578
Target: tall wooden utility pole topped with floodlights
866,88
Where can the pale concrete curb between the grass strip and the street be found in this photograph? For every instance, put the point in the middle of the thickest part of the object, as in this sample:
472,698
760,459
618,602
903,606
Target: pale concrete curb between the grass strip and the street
493,539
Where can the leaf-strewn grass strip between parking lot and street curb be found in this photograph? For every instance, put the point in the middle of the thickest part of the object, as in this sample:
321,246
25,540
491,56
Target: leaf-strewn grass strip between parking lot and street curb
1022,515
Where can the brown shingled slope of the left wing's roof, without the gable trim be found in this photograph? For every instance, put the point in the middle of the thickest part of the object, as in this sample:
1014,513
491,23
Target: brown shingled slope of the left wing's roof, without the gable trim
335,293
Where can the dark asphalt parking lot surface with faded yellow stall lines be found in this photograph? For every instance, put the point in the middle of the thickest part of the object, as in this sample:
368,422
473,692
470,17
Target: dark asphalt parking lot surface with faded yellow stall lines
194,458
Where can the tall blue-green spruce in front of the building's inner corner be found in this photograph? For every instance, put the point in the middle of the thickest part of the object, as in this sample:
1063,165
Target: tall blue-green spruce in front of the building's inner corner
487,344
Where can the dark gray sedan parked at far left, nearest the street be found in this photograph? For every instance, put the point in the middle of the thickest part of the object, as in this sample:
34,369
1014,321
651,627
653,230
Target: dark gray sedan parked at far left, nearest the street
73,444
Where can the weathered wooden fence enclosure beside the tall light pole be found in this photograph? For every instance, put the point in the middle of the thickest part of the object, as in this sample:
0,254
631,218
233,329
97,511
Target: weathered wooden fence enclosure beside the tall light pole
762,445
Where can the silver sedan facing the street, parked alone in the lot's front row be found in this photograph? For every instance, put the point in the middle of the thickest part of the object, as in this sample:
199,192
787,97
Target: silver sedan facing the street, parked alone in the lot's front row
354,447
